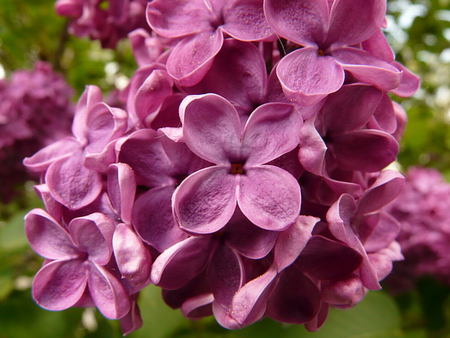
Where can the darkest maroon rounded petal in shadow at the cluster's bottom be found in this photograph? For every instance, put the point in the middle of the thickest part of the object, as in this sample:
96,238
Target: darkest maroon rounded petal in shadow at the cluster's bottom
295,300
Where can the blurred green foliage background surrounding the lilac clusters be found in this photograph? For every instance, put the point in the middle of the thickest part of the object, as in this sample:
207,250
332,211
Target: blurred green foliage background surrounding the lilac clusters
419,32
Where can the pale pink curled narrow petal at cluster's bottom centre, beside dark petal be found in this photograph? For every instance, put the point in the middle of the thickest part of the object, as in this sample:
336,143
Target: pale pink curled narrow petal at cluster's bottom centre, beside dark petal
249,303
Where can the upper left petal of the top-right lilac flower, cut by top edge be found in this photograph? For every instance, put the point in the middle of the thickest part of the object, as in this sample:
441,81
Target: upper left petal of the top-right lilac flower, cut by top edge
302,21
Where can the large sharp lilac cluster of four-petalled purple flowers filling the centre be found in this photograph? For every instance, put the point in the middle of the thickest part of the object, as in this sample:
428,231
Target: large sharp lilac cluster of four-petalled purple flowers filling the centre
244,175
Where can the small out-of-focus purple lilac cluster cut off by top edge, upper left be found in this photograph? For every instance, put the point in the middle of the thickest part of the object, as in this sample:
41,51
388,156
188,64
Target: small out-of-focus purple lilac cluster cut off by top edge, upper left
107,21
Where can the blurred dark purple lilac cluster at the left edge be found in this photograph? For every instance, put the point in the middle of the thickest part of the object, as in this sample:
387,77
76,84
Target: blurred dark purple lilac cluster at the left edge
35,111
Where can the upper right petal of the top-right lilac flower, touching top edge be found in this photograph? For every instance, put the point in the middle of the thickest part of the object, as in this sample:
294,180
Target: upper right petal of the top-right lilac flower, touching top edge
353,21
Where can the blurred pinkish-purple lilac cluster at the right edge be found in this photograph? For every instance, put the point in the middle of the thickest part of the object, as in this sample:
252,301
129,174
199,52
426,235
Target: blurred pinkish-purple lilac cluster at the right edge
422,209
